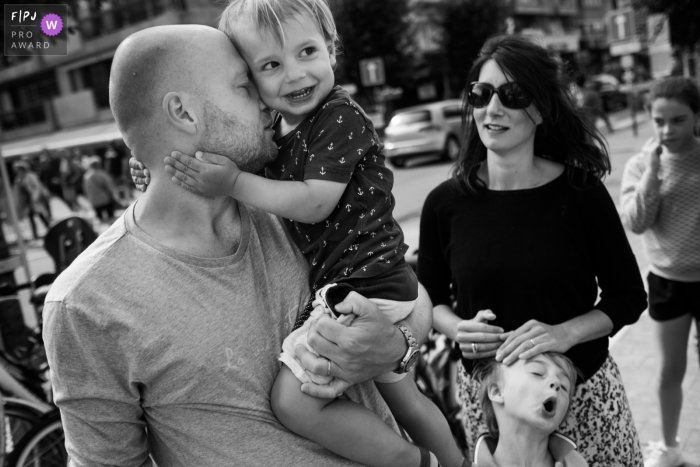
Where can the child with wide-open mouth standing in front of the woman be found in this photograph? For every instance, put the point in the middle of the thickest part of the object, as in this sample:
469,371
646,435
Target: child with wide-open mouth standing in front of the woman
523,405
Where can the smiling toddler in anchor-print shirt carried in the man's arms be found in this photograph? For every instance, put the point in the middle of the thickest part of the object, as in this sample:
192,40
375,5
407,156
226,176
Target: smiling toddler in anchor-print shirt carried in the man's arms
331,186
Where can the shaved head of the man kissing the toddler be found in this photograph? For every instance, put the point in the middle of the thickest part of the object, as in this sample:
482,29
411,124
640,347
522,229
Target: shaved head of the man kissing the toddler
185,87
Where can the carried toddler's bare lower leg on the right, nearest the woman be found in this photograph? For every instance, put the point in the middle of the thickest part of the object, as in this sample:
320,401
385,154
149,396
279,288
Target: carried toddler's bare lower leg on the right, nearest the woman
422,420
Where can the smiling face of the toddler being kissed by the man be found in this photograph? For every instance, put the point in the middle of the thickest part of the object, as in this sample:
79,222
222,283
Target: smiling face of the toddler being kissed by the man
293,78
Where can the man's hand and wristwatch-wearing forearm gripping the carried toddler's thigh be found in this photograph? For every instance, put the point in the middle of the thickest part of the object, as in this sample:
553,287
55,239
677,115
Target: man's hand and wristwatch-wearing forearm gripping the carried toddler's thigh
370,346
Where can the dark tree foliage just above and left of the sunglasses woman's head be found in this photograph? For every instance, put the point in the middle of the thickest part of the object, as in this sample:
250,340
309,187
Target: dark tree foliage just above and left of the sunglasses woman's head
466,26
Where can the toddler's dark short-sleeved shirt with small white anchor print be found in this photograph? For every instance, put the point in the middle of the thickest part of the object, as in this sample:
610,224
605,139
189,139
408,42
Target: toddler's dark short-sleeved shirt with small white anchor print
360,238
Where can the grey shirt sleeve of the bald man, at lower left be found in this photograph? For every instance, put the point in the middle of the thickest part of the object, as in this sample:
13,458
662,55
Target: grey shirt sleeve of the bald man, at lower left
101,414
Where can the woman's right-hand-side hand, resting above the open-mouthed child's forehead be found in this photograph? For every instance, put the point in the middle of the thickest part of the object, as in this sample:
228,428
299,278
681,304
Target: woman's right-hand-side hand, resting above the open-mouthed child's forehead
533,338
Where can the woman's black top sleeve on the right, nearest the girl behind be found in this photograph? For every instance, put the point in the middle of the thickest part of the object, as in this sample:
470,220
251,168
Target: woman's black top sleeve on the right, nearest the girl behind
622,294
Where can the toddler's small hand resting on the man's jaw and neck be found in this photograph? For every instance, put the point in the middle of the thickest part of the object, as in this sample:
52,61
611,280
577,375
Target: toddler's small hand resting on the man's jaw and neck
207,174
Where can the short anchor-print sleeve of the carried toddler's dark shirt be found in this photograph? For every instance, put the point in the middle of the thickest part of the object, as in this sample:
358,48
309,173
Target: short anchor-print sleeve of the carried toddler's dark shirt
340,139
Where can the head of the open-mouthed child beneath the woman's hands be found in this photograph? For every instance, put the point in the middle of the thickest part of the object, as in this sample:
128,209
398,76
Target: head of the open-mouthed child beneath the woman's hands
536,392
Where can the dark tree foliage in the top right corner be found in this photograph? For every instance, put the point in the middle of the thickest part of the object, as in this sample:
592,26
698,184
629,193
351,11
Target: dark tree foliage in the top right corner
683,18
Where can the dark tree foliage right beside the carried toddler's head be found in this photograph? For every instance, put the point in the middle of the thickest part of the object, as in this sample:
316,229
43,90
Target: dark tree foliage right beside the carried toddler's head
371,28
